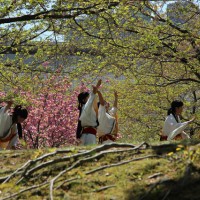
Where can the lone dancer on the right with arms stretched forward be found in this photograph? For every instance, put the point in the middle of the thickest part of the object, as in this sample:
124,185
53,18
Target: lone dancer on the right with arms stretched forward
173,127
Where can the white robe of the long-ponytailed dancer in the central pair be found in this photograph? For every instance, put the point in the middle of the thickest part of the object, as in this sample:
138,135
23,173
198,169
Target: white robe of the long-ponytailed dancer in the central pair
88,118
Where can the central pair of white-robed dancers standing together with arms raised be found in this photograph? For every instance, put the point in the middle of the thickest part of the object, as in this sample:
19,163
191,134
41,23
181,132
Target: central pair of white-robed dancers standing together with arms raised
96,119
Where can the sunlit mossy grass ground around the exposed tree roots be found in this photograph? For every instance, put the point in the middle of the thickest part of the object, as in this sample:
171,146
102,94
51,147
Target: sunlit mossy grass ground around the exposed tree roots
174,167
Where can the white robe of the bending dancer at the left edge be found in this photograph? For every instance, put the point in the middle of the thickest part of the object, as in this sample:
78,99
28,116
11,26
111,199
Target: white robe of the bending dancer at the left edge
5,130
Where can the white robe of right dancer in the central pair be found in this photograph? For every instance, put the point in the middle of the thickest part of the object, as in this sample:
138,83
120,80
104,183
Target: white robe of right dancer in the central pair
107,122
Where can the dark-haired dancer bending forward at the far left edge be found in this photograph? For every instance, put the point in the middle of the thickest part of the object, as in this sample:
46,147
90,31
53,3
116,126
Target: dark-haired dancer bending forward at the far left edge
10,125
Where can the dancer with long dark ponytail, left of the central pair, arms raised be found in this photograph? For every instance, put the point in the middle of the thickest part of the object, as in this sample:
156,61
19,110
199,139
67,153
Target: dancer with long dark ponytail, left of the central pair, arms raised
88,111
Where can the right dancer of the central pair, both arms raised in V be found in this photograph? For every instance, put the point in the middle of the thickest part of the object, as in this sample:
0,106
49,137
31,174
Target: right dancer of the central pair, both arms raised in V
108,125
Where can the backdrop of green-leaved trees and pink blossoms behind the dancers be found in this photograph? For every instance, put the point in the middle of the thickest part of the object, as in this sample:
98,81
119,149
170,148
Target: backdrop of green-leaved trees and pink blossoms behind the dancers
149,51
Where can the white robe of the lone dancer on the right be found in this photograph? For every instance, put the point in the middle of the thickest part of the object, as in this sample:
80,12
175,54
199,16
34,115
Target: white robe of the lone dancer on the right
172,128
